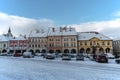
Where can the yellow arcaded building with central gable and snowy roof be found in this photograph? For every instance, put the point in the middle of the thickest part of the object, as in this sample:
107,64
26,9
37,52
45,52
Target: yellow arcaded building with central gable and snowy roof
94,42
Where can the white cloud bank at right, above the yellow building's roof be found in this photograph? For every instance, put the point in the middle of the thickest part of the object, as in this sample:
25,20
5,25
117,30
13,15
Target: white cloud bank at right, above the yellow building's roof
110,27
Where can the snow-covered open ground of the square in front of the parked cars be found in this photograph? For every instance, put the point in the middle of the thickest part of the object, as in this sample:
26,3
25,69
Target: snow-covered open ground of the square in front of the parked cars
38,68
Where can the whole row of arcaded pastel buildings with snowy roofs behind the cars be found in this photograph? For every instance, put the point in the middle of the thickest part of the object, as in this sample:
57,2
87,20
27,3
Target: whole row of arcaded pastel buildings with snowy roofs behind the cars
58,40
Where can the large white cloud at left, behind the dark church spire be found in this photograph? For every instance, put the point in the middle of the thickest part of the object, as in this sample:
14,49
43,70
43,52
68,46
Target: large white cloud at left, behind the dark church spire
22,25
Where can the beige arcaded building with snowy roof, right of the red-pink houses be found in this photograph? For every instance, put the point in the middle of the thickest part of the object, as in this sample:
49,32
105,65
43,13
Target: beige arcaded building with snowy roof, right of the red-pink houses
37,42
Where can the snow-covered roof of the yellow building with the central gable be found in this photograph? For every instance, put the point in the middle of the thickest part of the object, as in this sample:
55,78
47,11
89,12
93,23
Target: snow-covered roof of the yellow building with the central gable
92,34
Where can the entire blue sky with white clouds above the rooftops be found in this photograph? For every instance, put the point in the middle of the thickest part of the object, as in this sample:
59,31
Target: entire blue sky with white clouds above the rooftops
85,15
